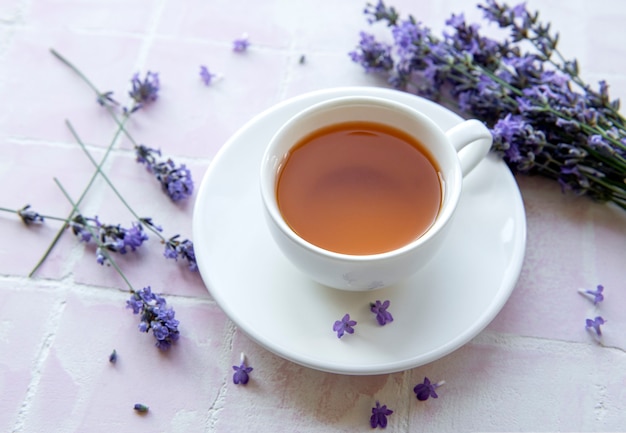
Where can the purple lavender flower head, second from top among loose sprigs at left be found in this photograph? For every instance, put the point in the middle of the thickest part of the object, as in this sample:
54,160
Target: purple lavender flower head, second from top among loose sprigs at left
175,181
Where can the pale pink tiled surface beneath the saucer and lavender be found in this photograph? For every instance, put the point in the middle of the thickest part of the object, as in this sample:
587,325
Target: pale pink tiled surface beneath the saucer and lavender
534,368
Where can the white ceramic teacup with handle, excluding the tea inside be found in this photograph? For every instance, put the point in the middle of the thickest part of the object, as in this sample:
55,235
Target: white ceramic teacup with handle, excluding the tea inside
456,152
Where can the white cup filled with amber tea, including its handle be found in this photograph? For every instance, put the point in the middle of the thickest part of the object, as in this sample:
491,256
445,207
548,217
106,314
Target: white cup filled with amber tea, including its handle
359,192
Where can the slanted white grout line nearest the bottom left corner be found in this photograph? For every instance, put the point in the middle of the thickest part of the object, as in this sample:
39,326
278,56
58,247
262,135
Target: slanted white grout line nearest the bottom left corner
38,365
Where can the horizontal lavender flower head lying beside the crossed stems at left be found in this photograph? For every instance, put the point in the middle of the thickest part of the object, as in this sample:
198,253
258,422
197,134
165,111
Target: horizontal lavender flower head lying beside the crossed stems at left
113,238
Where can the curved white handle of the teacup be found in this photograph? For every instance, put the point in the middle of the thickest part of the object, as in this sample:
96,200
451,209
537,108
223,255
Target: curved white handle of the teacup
472,141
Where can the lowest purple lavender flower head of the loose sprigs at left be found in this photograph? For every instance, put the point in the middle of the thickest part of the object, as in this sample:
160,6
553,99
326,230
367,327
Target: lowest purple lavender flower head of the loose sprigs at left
155,315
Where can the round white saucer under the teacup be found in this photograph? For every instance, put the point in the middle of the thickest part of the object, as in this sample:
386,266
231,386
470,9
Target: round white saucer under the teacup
439,309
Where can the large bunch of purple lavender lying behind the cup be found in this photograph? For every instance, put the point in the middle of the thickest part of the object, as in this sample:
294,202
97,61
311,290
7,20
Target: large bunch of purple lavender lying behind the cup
544,118
